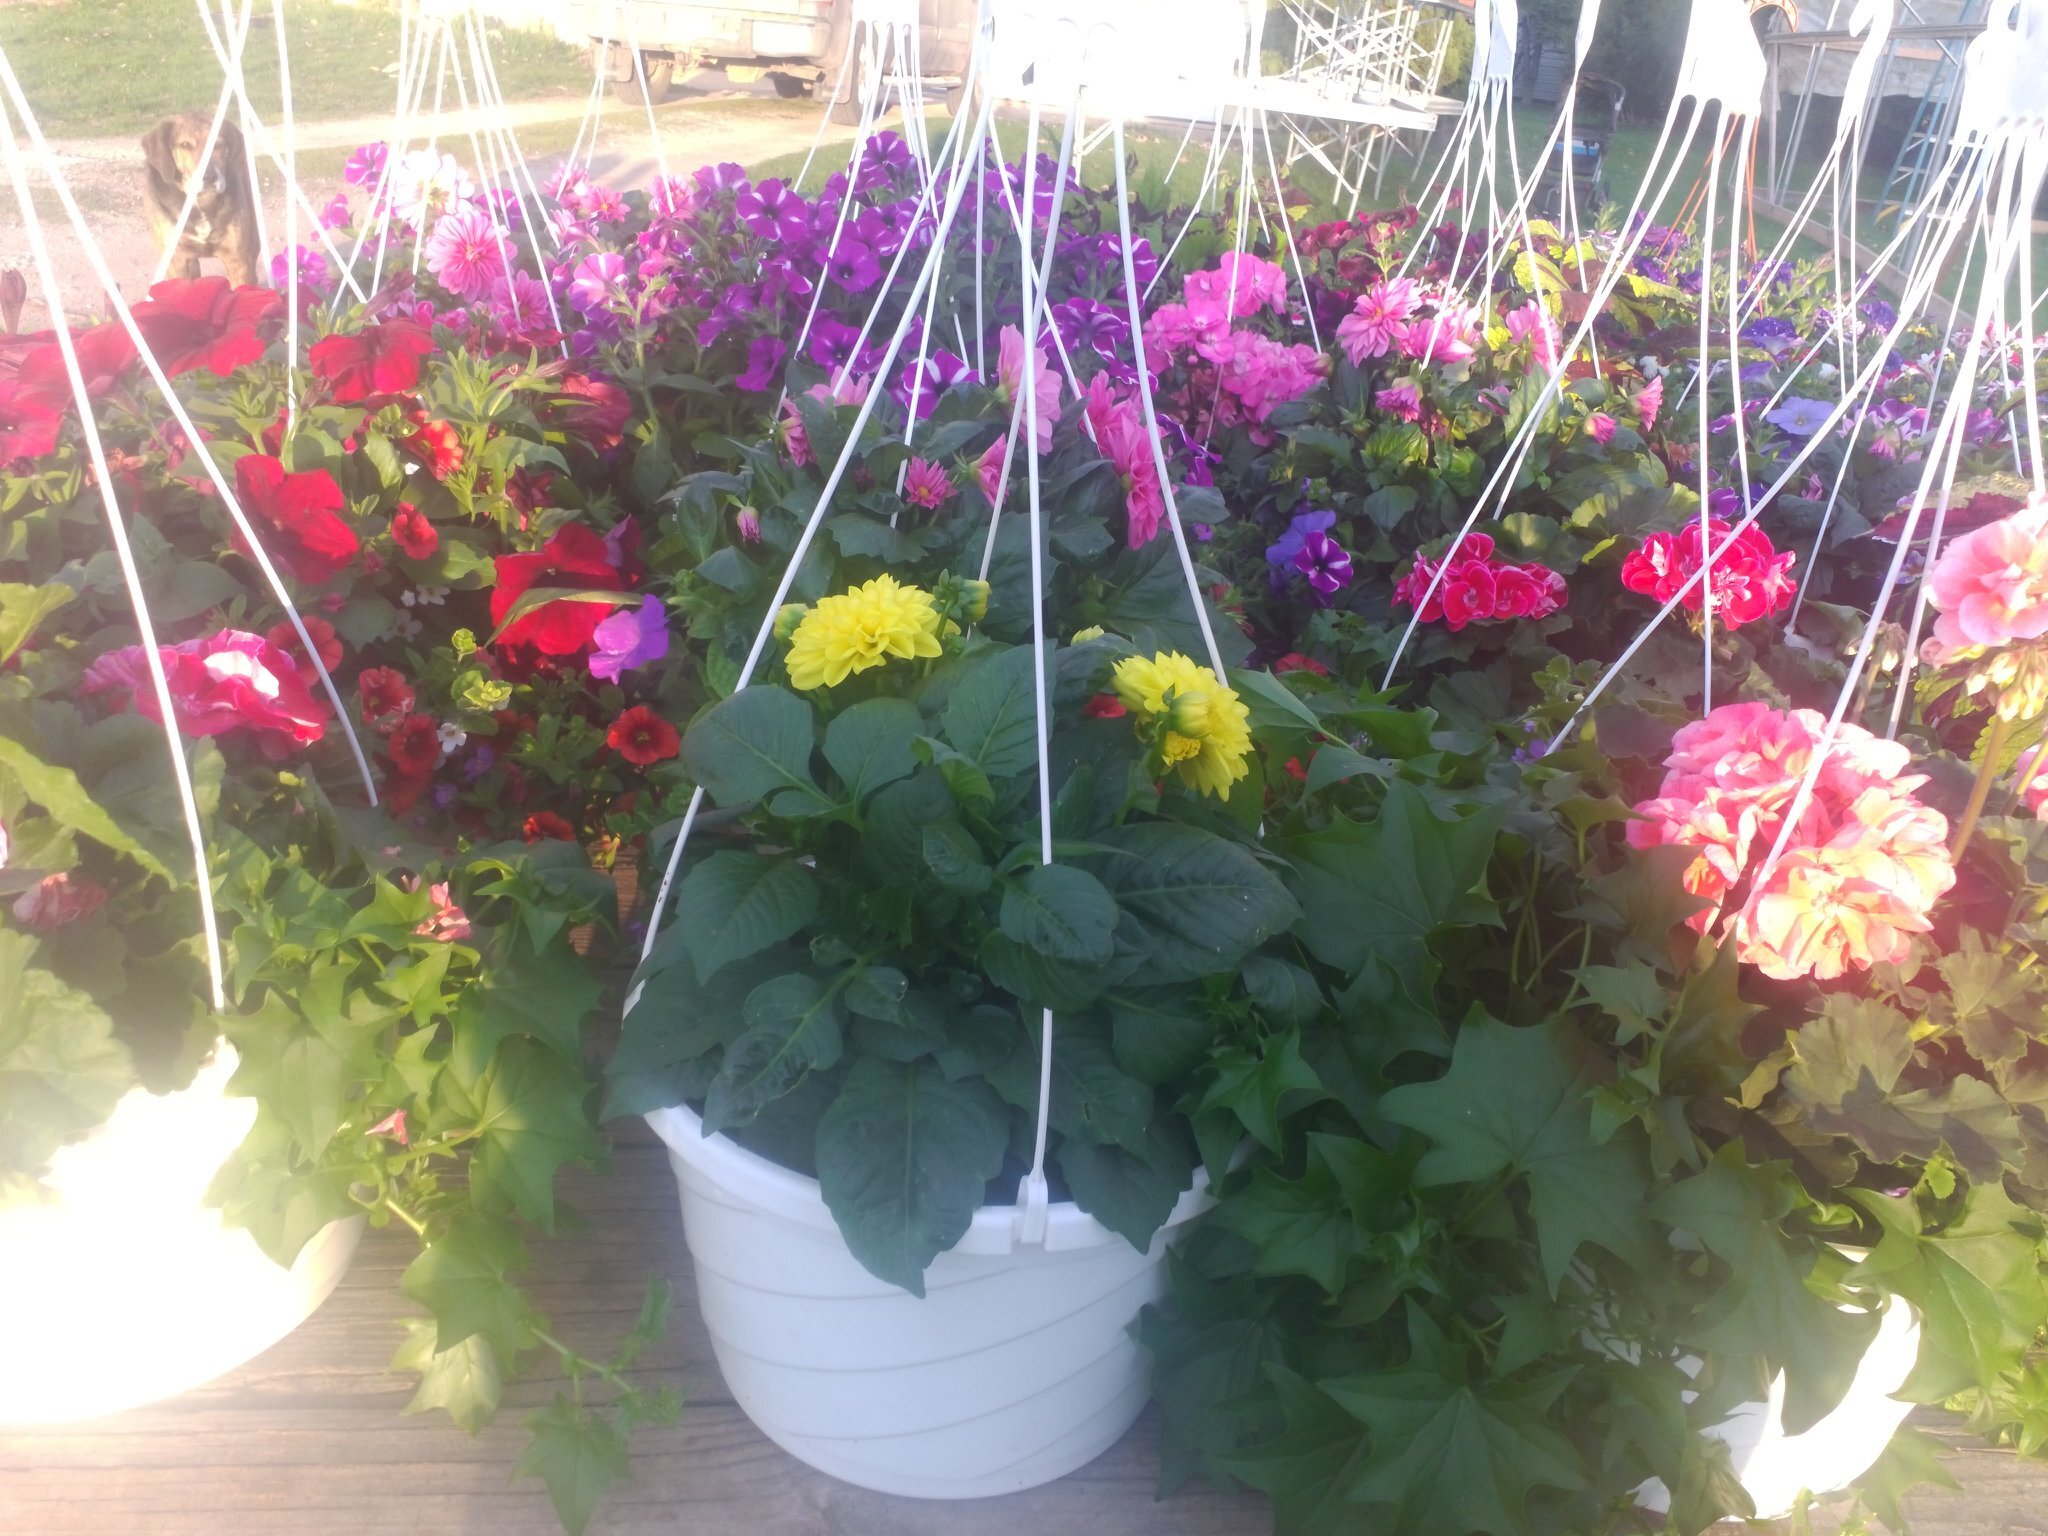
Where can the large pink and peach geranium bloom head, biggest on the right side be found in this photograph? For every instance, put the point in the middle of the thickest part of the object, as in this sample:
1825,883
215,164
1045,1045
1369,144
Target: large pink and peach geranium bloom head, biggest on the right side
1863,865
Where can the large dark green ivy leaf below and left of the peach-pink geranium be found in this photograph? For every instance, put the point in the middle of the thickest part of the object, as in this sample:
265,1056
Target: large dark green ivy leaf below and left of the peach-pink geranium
1517,1101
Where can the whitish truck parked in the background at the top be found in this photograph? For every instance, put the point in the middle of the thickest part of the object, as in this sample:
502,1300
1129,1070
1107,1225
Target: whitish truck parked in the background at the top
798,44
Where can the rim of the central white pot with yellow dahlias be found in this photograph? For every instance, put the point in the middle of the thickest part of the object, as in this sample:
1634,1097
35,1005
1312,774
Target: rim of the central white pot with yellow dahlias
798,1199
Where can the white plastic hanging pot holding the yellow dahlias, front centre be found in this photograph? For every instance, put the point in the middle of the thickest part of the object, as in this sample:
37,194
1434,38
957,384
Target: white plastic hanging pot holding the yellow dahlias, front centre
1017,1367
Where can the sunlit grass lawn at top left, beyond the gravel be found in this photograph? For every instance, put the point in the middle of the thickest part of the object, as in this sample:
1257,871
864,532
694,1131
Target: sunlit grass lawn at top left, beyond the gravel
118,67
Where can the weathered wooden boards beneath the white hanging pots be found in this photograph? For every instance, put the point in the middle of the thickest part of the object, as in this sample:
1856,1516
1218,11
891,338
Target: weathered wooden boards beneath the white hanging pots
308,1441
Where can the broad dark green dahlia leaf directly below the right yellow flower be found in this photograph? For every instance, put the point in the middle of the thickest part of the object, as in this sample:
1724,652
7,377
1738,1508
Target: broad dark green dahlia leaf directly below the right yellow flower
1201,902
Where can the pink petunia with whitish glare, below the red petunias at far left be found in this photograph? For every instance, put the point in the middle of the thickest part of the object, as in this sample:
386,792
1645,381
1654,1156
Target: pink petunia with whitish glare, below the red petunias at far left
232,681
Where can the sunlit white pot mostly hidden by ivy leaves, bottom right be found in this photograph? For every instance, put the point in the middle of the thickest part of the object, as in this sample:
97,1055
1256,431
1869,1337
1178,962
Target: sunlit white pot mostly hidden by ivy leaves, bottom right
1830,1455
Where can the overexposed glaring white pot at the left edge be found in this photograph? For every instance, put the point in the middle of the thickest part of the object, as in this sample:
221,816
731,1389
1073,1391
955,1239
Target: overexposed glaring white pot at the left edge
126,1287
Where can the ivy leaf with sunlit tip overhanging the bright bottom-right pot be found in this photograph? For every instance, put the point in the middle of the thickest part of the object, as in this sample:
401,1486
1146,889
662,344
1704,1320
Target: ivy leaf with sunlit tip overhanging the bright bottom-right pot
1736,1207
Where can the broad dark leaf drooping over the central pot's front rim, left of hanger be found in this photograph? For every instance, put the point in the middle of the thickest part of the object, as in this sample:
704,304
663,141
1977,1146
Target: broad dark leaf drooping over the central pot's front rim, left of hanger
904,1160
